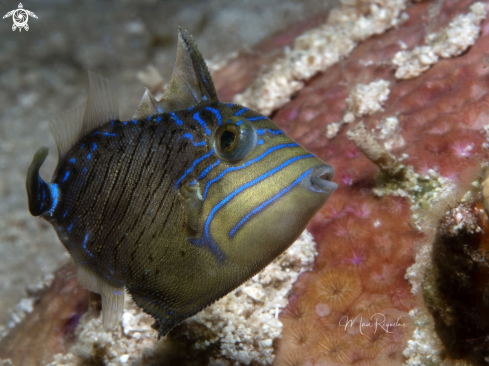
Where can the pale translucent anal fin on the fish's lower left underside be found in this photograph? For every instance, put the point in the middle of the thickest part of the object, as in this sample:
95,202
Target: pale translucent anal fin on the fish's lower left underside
112,296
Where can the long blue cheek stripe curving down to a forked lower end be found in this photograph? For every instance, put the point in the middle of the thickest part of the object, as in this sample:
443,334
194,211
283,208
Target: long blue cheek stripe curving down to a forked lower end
206,240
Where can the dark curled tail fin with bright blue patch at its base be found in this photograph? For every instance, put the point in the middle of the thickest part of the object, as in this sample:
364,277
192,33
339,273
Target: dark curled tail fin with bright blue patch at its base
42,197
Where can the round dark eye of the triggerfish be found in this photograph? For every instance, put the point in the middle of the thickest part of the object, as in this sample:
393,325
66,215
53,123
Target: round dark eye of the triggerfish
235,139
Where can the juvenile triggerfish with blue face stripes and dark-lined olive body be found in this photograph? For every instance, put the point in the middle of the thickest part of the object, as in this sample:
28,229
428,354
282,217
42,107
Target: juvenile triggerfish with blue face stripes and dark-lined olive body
180,204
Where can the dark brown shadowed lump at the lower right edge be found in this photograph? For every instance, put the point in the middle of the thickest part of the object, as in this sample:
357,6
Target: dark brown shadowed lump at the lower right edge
456,288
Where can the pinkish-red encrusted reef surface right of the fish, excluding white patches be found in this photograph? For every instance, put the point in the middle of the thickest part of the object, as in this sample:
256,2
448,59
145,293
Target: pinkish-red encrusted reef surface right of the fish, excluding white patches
440,115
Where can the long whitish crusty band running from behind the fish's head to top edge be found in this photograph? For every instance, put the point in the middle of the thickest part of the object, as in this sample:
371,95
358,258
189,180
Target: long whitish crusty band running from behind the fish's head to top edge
318,49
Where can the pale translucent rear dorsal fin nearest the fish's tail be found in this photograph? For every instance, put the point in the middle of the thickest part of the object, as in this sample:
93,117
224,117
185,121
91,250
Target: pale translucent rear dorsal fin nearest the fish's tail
100,107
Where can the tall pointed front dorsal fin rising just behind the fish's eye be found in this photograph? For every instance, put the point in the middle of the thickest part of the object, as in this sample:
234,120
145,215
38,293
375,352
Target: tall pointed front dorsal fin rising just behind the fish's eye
190,82
